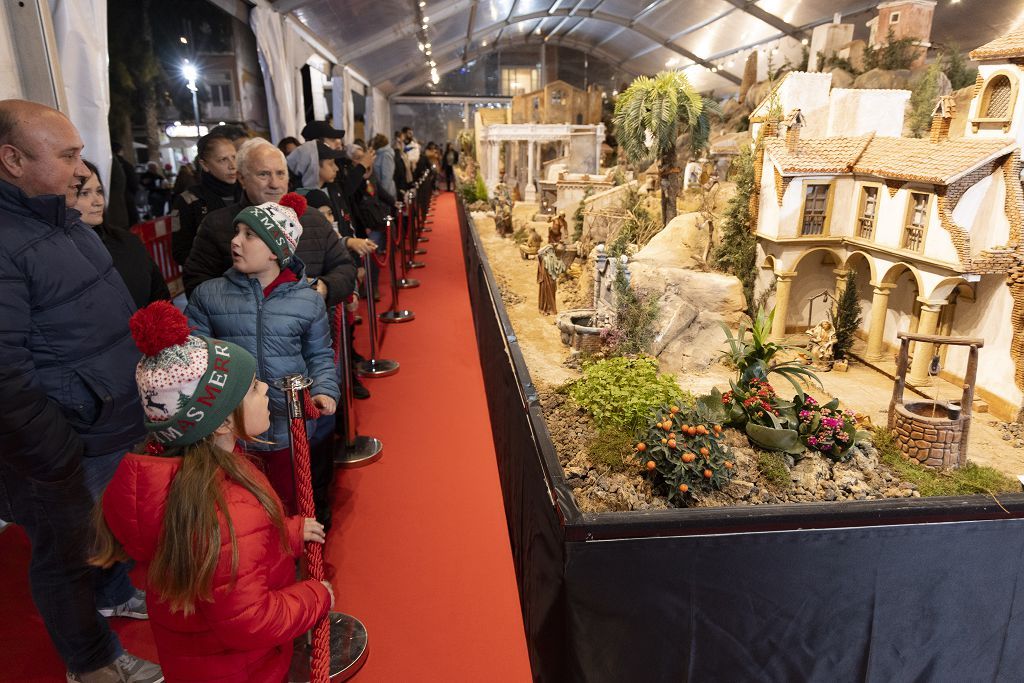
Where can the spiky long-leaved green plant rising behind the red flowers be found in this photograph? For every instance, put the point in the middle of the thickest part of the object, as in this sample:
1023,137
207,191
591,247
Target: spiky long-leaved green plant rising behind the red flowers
754,357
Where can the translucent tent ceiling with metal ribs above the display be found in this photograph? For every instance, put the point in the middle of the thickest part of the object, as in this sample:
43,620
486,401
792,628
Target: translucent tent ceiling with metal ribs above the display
379,37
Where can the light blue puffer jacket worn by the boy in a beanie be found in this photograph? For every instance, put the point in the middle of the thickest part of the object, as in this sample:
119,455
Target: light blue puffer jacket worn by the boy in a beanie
287,333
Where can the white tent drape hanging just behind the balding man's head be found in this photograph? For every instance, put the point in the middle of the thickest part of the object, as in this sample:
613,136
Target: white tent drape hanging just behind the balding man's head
84,65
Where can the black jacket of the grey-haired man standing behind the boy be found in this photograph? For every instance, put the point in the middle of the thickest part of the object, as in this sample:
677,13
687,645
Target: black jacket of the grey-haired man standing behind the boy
320,248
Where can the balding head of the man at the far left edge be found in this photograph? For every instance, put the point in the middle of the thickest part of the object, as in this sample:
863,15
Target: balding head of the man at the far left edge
40,150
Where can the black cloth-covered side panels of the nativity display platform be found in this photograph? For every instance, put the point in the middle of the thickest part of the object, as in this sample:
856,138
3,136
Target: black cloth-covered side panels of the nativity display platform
895,590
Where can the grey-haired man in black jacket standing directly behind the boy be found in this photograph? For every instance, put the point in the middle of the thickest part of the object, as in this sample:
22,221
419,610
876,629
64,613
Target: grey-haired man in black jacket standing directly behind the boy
264,176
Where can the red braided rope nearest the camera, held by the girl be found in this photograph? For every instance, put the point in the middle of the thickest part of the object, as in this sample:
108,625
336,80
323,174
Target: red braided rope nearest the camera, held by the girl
321,665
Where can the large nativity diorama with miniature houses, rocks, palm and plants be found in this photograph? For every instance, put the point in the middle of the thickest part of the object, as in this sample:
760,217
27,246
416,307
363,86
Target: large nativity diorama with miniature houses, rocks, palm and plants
781,296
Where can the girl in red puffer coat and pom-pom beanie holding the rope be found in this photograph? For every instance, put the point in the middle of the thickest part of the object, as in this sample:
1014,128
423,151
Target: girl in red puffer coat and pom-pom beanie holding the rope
201,521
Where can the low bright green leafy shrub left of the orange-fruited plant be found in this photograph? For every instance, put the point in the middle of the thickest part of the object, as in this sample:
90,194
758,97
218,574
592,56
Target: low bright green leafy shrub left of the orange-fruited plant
623,393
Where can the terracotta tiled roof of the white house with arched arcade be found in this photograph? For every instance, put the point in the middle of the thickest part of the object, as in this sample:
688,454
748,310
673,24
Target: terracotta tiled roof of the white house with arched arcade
897,158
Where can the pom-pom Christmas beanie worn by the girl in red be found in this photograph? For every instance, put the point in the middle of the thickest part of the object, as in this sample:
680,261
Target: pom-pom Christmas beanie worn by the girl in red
189,386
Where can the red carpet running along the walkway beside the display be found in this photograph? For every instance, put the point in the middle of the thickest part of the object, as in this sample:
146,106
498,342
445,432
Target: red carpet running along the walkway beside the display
419,544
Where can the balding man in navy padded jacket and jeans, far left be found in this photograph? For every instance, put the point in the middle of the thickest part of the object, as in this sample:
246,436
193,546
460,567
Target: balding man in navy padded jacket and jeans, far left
69,408
